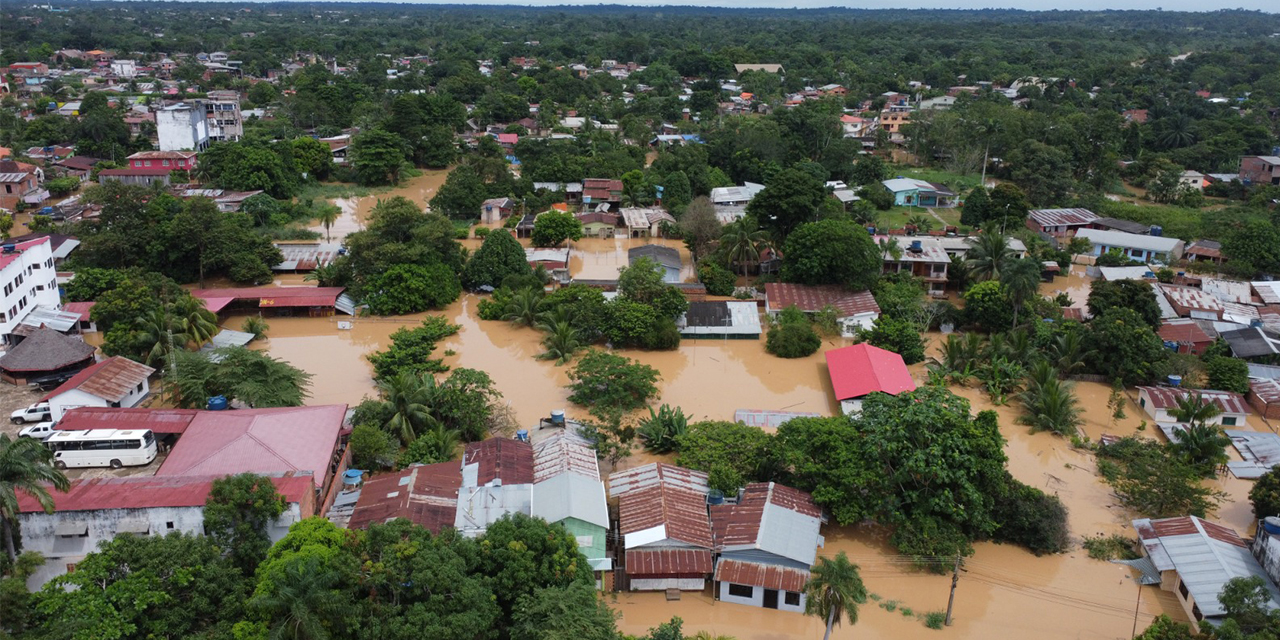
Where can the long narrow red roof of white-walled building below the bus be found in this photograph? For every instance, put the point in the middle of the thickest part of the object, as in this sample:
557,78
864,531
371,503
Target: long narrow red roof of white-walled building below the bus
150,492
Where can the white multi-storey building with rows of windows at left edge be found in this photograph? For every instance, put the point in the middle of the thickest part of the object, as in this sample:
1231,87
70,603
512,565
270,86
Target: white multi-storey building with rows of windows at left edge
29,280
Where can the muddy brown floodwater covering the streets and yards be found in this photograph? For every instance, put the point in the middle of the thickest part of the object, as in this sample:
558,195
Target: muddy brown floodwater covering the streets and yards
1005,593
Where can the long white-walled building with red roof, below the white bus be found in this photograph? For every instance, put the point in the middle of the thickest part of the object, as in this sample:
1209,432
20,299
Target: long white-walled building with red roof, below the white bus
95,511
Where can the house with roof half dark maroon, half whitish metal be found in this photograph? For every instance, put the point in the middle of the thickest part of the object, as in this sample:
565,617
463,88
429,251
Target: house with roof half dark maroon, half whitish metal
497,481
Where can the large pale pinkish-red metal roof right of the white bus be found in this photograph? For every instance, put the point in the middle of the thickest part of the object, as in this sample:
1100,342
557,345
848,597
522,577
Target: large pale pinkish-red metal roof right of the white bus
260,441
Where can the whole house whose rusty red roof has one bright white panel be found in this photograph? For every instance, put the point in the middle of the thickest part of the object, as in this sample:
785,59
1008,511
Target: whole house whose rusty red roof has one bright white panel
666,532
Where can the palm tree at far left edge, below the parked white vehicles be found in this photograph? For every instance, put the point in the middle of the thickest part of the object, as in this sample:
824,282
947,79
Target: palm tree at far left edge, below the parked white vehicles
25,465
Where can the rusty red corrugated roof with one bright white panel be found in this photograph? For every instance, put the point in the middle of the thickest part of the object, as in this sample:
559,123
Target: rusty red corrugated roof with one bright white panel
661,496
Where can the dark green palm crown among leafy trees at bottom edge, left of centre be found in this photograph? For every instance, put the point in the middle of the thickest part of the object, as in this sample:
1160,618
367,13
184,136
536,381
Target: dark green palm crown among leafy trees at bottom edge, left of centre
305,601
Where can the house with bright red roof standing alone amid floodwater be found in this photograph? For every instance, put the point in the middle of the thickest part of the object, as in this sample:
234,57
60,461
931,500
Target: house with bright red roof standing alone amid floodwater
861,371
